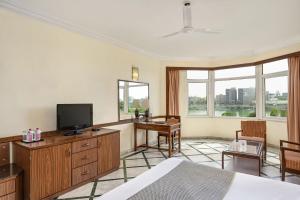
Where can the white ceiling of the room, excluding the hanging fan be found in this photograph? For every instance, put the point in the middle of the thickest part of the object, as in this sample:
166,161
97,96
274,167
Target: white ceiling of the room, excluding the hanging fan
248,27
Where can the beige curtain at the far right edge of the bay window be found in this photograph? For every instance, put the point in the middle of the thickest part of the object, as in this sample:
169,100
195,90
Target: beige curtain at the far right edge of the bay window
294,100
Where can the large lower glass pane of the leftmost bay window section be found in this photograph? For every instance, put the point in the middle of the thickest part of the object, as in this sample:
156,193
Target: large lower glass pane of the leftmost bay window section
197,99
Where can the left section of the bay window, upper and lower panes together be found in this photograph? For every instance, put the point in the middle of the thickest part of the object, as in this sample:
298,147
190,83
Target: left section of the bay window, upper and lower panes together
197,92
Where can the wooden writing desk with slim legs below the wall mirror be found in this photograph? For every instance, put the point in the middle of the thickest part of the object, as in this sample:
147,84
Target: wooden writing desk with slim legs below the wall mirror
169,128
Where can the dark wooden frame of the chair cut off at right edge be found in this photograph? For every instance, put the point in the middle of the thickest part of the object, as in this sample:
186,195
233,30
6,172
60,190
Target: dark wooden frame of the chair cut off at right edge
283,167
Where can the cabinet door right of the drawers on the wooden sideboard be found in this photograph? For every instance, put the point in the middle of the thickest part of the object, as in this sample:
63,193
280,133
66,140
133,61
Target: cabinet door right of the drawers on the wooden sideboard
108,153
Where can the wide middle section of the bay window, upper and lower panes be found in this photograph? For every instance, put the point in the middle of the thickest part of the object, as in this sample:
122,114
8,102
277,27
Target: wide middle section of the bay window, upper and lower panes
236,95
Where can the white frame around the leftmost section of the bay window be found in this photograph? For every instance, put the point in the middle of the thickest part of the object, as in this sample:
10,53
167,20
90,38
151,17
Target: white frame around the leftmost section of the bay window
206,81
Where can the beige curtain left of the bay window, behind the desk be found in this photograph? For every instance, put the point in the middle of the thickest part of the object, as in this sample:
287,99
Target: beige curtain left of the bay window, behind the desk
173,92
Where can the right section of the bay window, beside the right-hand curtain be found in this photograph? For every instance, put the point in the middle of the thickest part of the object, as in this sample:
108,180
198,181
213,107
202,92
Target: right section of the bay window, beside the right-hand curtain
275,75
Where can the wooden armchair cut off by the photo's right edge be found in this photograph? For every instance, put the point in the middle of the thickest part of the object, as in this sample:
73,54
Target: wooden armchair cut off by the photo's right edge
289,158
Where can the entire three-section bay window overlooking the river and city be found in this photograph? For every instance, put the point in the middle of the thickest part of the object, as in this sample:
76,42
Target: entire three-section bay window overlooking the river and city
253,91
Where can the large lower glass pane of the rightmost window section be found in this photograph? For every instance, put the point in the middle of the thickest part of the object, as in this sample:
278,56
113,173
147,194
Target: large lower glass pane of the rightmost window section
276,96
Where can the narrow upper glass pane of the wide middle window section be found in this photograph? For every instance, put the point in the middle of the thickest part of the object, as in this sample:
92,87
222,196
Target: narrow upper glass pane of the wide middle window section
235,72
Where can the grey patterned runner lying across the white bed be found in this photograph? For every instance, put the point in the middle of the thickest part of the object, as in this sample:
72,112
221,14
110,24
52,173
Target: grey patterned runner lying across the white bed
188,181
